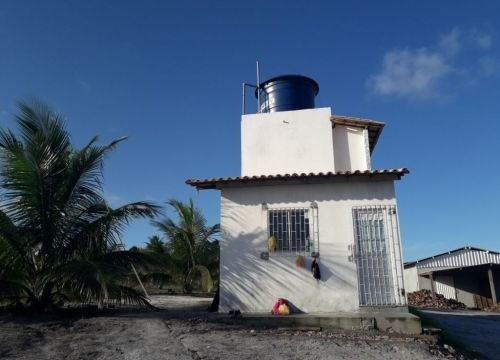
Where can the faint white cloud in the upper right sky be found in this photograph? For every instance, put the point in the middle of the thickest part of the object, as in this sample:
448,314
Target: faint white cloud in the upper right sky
425,72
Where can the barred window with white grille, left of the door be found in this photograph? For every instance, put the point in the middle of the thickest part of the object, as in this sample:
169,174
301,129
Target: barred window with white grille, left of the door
294,230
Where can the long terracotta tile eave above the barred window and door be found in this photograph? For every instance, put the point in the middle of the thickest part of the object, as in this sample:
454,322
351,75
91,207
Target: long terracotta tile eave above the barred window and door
316,178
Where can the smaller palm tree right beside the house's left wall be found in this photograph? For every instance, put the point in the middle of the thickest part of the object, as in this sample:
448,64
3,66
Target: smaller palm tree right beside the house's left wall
191,241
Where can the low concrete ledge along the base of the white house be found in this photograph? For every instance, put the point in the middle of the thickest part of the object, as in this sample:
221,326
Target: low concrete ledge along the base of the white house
400,323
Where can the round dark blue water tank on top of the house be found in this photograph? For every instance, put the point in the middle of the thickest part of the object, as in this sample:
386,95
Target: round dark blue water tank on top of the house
287,92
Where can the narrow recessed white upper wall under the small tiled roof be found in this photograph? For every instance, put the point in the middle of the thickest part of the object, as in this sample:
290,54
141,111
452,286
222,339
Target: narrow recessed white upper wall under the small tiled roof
350,147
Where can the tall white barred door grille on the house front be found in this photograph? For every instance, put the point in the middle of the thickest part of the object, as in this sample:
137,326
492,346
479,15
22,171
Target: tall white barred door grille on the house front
378,256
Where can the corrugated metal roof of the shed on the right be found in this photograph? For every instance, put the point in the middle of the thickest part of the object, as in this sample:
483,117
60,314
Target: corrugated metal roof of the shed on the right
462,257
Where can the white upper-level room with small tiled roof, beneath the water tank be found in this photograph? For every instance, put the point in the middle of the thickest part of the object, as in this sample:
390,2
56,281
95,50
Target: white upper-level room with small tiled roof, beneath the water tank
306,141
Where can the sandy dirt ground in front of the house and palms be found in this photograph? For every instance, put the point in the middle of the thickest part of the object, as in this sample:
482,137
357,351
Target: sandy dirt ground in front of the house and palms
184,330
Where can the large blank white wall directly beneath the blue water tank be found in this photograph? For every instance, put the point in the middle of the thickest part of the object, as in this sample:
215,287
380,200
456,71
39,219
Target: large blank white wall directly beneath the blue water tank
287,142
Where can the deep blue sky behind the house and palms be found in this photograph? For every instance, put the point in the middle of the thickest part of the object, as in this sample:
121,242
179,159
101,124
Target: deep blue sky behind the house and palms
168,74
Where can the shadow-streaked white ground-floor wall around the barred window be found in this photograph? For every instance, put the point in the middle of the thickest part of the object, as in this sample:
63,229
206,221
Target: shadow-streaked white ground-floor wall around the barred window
251,284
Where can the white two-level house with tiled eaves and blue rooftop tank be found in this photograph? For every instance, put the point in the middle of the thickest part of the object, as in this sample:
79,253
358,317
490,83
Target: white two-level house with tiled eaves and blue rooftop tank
307,189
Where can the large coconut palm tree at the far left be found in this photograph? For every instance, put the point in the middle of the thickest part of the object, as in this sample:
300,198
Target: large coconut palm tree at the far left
59,239
